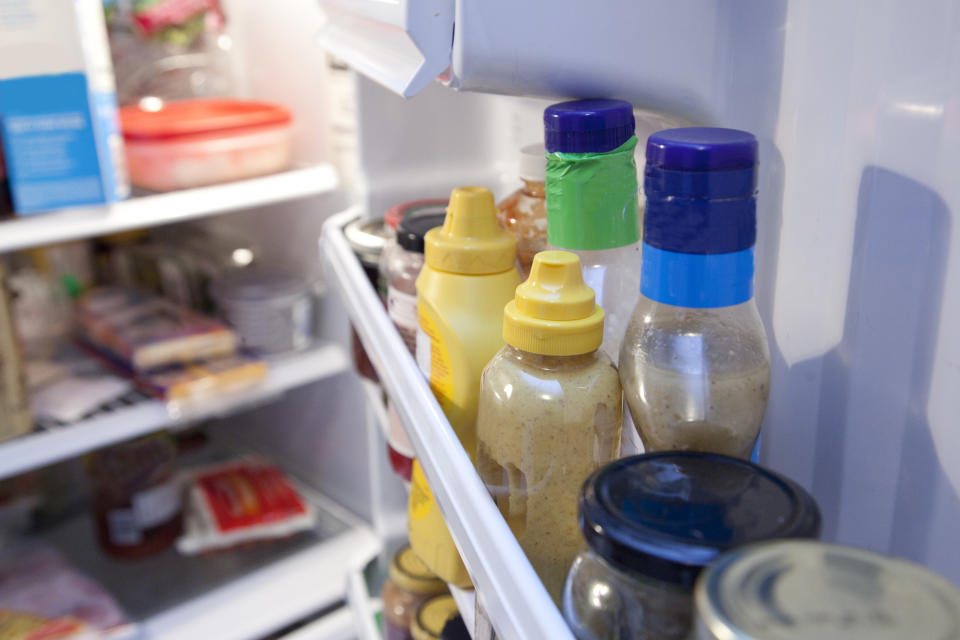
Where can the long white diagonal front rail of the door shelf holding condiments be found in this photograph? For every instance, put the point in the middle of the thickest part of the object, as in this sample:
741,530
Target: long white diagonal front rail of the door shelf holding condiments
514,598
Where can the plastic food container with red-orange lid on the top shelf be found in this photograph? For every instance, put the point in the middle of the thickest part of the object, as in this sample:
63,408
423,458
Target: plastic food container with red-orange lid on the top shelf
191,143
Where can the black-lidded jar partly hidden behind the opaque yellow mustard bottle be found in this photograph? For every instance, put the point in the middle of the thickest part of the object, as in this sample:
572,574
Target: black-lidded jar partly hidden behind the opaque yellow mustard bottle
400,265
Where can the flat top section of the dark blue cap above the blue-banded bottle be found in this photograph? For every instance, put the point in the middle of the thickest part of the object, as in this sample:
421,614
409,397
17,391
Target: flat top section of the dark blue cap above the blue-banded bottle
702,149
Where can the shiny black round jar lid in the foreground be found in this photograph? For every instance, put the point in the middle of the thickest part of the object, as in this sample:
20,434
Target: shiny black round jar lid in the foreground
667,515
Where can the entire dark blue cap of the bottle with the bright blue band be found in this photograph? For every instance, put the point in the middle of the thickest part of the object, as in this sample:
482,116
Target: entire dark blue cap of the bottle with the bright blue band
700,185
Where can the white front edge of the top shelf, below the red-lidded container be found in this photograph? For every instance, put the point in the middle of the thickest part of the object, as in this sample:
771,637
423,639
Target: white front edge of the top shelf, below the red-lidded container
164,208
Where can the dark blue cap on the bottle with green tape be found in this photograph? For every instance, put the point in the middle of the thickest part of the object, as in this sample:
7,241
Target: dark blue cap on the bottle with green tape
587,126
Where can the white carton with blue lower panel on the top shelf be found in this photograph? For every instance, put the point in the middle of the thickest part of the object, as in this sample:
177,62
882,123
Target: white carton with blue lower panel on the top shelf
61,142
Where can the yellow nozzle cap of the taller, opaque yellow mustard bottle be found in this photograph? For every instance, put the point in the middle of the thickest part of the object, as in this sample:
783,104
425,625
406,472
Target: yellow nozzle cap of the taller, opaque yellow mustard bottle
470,242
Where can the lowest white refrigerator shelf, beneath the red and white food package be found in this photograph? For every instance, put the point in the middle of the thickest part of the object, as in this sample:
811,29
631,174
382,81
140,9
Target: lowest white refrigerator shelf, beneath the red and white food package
240,594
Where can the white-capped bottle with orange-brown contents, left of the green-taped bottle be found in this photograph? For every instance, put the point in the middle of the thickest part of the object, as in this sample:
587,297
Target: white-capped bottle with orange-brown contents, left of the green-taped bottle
524,212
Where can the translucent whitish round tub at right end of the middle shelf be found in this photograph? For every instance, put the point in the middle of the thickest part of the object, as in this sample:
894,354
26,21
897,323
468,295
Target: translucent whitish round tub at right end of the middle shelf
271,311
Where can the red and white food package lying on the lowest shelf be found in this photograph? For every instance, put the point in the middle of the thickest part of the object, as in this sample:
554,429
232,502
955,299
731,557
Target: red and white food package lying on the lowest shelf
240,502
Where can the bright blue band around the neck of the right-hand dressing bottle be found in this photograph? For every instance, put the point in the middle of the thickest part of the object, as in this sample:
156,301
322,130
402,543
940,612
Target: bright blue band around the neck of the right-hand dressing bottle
694,280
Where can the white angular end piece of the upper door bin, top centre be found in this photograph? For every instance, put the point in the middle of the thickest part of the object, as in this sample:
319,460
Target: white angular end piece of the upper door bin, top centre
401,44
